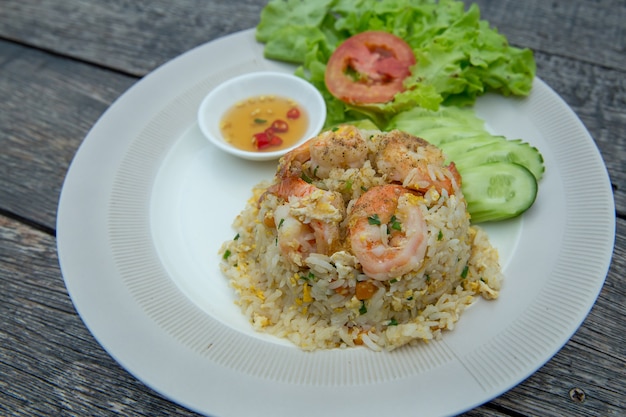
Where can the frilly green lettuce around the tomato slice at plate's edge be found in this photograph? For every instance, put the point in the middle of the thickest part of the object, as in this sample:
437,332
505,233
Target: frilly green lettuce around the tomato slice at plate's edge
459,56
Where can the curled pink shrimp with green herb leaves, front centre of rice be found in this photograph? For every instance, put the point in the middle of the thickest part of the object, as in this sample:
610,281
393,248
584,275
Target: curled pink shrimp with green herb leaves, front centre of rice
387,232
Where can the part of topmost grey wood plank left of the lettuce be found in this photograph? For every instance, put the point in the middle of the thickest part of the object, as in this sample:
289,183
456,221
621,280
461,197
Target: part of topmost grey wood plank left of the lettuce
131,36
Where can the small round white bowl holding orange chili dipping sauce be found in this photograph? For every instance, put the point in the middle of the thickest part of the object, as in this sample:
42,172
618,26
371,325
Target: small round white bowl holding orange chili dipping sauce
272,113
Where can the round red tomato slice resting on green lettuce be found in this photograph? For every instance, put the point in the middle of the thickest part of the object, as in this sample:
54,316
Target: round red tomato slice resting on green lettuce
369,67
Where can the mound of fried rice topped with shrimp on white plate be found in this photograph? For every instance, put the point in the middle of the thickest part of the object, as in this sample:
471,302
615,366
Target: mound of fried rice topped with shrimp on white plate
361,239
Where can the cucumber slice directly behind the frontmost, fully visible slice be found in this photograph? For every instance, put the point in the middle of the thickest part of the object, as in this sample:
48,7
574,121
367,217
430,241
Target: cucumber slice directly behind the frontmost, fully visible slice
514,151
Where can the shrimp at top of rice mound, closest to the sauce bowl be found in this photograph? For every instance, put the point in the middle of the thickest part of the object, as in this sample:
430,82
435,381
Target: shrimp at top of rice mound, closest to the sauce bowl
342,148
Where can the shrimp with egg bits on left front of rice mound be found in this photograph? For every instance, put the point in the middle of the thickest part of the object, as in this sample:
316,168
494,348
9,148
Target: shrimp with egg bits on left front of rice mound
308,221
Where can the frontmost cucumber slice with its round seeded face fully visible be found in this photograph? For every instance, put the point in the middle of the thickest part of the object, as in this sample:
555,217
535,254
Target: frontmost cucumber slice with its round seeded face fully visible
498,191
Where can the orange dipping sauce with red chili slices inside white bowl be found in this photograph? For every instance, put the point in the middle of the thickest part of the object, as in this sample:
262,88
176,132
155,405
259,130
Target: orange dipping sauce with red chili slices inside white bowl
264,123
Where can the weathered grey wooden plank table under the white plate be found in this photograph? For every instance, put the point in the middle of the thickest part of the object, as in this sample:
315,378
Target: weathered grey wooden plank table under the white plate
62,63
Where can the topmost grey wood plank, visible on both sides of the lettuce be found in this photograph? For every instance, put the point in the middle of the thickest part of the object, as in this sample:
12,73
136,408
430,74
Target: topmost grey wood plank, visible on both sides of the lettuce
137,36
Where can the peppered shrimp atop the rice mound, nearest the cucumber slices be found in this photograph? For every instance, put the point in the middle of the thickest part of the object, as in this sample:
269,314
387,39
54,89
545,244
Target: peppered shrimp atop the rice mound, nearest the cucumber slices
416,163
